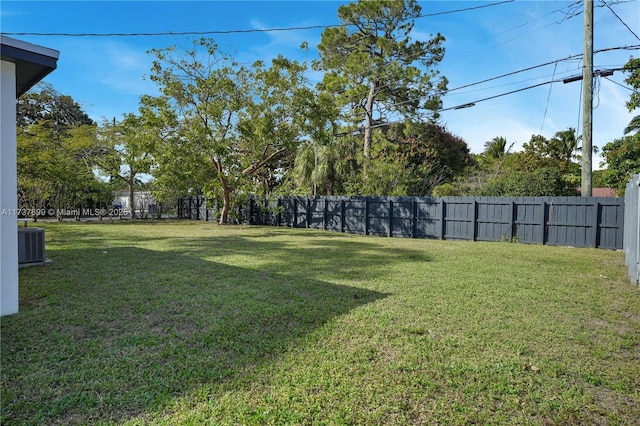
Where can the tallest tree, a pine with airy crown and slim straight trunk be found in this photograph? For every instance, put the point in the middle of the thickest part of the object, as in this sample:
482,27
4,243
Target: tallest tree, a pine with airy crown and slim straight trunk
375,69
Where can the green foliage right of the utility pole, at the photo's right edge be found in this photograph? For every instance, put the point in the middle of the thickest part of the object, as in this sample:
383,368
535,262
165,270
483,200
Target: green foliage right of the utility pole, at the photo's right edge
622,157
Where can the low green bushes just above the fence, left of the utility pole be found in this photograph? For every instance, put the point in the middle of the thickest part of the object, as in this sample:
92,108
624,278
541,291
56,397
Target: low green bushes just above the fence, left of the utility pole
536,183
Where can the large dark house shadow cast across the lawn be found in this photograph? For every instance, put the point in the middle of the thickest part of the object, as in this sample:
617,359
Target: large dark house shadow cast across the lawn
106,335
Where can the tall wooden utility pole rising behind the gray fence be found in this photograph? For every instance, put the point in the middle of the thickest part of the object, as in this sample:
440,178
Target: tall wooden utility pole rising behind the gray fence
587,107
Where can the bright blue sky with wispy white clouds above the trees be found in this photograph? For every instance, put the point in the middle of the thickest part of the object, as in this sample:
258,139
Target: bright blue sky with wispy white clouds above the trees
106,74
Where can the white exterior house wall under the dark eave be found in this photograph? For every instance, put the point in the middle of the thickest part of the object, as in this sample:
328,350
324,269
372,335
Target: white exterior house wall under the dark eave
8,191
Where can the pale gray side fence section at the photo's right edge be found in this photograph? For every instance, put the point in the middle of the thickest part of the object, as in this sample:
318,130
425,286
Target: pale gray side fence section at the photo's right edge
631,239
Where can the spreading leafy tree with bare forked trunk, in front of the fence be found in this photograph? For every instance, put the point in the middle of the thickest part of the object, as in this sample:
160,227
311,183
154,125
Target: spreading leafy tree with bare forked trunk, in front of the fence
232,121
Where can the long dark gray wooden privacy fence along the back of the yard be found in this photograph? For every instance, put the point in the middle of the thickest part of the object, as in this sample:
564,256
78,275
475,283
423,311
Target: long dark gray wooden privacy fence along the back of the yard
572,221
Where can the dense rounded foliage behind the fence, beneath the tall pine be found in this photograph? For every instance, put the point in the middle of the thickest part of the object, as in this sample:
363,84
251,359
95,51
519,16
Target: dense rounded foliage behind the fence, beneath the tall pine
406,159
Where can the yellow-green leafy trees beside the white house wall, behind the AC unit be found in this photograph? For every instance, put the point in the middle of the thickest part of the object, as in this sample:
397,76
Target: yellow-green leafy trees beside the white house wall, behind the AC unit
57,149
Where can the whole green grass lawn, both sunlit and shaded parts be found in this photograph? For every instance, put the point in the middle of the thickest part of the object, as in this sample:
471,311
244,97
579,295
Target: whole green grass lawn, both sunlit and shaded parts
193,323
